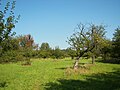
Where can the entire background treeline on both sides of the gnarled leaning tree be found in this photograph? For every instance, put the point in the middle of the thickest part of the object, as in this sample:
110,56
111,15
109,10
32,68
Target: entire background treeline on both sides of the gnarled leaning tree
22,48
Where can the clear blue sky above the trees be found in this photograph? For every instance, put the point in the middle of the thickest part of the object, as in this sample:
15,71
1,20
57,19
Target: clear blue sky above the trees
53,21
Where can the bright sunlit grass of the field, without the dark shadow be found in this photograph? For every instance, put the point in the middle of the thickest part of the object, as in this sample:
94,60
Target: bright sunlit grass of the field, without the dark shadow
14,76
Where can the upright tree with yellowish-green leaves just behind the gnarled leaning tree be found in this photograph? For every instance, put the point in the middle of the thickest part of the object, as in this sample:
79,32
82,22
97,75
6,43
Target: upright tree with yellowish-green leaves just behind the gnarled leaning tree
98,39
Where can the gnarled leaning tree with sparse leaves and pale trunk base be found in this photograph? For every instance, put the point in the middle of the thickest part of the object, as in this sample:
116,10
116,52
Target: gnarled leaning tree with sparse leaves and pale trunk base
85,40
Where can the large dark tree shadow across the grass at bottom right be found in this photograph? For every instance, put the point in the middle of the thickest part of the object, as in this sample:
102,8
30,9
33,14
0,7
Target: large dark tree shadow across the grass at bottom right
108,81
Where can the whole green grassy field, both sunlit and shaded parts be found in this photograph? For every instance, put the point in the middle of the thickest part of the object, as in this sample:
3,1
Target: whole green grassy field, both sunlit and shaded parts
58,75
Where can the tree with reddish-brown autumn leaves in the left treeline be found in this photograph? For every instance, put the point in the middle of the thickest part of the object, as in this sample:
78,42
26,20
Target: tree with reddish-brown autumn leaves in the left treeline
27,45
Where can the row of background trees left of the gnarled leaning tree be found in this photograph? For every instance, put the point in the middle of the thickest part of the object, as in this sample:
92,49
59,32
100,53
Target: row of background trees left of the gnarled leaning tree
22,48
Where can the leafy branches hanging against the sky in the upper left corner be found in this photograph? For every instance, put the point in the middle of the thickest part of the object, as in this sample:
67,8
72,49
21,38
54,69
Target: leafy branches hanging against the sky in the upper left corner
7,21
